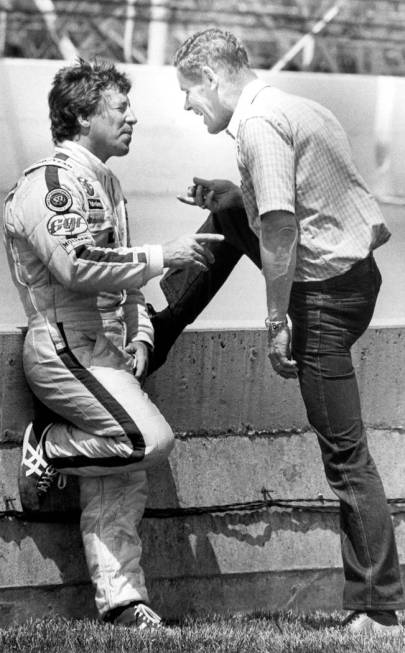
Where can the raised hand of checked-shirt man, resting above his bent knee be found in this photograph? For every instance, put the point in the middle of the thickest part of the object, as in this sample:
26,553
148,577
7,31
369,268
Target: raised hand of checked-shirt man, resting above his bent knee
217,194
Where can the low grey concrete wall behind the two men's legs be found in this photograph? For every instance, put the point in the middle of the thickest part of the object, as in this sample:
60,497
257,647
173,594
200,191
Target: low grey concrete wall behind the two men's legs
239,429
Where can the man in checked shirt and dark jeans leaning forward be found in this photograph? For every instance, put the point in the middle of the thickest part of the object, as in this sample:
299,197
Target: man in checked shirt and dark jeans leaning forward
305,217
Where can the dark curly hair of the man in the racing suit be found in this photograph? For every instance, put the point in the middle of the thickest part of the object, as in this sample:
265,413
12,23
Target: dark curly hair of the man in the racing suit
76,91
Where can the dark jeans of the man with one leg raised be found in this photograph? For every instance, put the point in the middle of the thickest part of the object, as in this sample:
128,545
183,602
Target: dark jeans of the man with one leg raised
327,318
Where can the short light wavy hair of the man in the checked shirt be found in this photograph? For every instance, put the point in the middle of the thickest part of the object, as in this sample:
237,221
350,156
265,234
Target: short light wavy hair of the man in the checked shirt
212,47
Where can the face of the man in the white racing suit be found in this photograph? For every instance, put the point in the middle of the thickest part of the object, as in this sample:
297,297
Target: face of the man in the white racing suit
110,131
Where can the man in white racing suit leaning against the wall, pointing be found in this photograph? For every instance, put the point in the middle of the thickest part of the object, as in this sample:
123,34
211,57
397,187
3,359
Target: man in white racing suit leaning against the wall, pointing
89,335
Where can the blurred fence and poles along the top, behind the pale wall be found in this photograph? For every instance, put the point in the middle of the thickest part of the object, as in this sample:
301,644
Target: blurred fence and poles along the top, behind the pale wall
349,36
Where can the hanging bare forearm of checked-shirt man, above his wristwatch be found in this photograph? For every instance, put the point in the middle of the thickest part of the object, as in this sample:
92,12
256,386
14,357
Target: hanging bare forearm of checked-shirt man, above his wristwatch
278,246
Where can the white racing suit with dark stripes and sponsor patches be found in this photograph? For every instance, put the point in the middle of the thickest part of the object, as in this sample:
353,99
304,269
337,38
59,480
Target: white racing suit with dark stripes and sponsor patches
79,279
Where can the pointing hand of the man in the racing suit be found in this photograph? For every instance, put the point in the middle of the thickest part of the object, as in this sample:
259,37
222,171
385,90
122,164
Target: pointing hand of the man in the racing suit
189,251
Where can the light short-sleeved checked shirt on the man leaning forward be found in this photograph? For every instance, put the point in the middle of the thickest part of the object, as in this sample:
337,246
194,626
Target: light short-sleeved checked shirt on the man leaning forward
293,155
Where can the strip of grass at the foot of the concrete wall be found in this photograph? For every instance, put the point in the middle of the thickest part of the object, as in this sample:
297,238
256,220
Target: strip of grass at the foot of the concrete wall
278,633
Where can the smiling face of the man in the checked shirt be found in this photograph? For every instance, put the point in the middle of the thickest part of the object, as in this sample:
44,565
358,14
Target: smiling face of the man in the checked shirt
203,98
